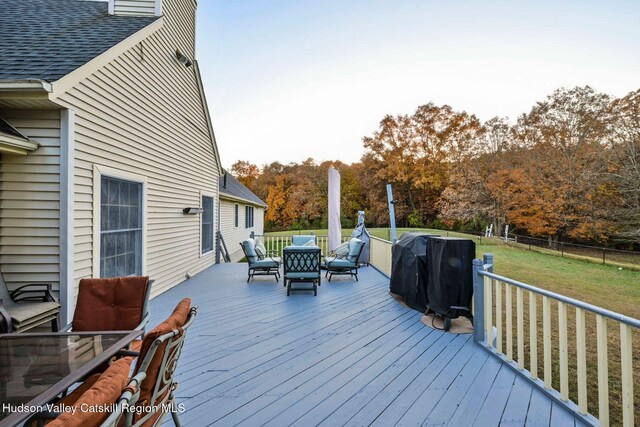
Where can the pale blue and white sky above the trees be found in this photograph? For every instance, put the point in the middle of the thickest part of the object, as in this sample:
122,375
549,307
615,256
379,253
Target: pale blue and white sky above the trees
291,79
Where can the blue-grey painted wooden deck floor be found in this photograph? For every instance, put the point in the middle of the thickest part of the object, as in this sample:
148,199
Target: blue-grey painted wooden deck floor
350,356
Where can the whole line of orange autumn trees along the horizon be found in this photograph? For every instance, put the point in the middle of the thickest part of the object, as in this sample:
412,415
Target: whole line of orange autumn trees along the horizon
569,169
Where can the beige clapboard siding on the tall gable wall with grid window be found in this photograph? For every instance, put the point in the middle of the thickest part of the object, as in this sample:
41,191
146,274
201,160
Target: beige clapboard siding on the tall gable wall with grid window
142,115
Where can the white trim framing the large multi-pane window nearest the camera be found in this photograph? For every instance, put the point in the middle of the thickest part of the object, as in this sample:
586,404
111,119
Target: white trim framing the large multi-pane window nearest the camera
98,173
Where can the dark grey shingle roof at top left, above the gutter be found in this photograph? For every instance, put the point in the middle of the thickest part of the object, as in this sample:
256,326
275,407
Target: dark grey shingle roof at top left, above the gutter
47,39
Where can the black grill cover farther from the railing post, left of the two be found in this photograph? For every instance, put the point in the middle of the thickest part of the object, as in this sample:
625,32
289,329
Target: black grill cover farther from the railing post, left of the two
409,269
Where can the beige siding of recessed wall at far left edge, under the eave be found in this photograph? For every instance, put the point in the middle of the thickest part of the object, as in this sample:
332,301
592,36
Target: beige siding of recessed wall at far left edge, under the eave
30,201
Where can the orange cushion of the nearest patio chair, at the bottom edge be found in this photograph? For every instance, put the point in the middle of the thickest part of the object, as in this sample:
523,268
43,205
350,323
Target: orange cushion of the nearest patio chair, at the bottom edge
106,390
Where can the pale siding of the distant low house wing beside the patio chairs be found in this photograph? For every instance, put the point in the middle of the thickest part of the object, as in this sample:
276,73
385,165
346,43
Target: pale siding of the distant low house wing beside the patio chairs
234,235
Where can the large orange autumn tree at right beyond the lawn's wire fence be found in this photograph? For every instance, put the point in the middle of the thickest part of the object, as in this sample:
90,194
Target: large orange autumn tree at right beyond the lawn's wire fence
566,137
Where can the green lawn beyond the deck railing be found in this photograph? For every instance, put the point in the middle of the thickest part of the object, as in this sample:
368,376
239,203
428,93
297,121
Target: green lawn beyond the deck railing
602,285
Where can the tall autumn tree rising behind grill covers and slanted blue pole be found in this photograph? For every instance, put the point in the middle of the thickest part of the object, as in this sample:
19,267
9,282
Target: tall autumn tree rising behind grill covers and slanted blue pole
414,154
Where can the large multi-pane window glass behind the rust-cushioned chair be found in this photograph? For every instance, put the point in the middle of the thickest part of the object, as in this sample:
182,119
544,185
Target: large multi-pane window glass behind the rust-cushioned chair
120,228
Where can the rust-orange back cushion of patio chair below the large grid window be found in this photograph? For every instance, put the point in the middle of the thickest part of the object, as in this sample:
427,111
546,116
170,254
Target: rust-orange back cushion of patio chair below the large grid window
114,304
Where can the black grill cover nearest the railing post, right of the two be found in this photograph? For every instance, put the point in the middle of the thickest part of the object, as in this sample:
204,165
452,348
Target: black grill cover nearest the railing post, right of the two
450,271
